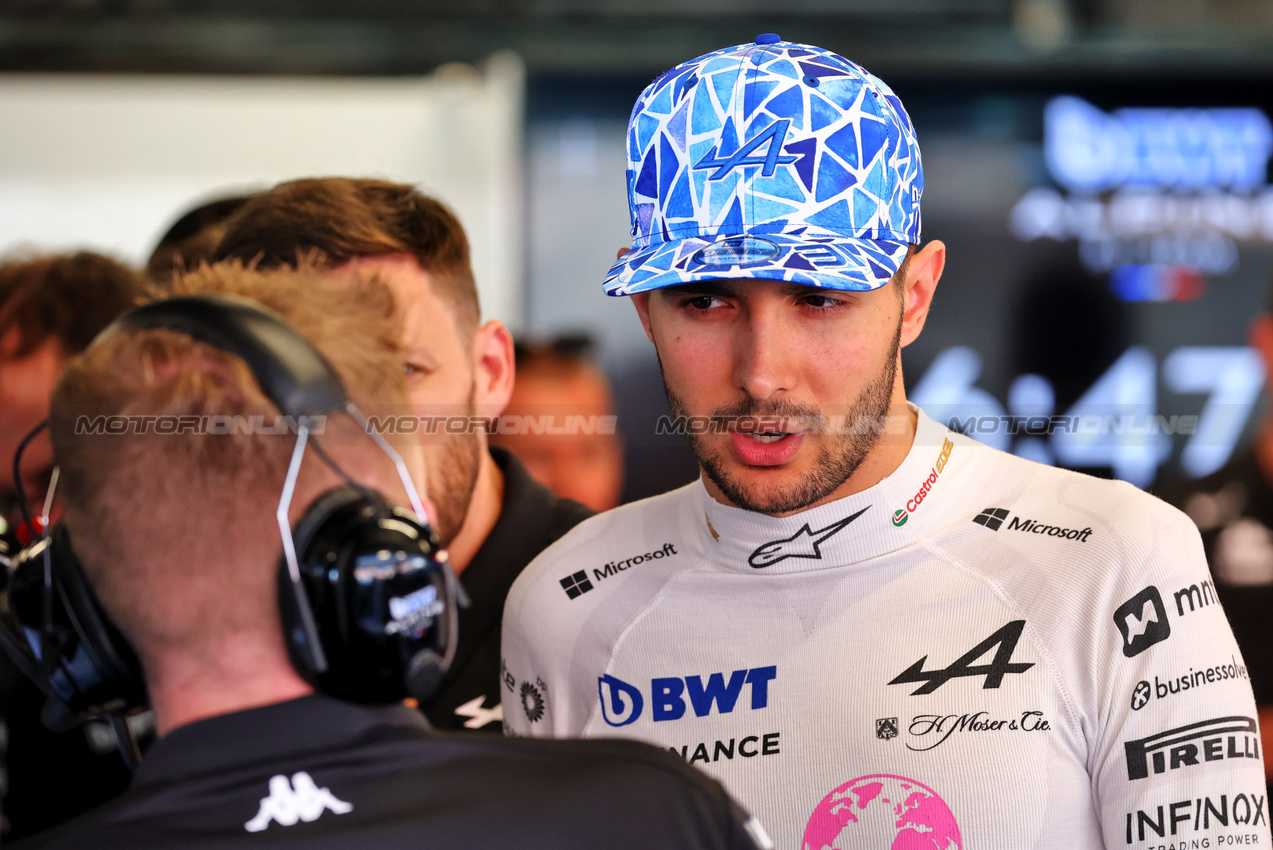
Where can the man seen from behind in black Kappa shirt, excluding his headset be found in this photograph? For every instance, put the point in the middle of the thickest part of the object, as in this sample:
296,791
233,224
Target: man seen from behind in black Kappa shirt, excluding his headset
178,538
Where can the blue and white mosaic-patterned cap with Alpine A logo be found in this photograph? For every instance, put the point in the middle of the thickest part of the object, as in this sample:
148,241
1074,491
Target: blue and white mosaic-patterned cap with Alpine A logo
770,161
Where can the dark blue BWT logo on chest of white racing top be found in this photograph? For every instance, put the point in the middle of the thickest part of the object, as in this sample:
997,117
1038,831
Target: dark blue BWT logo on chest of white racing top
623,704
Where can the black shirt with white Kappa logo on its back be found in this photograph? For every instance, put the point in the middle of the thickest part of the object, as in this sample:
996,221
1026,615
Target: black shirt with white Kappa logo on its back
321,774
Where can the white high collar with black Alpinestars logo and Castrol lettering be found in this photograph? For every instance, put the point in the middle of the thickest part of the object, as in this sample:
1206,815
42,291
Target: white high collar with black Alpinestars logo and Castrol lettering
868,525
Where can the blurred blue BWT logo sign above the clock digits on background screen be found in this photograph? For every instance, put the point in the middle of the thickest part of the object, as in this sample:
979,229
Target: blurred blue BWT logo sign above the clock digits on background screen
1158,199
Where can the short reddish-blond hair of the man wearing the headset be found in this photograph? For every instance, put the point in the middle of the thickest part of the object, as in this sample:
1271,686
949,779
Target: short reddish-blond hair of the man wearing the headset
178,531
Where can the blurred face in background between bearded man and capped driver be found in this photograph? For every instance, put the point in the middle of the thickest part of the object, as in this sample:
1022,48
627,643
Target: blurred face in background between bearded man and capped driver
561,423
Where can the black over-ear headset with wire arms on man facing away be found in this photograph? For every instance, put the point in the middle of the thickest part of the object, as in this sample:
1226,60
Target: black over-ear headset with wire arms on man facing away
367,594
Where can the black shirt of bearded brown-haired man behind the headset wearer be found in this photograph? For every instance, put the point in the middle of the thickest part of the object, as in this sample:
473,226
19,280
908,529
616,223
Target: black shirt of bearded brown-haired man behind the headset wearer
530,521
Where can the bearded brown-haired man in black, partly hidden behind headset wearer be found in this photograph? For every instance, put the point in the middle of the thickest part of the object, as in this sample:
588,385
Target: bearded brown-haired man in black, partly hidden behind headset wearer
493,517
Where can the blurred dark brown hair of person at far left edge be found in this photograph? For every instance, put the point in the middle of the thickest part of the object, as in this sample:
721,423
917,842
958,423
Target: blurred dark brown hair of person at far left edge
68,297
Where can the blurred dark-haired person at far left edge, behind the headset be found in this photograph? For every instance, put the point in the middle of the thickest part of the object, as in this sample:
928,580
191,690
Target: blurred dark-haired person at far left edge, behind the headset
50,310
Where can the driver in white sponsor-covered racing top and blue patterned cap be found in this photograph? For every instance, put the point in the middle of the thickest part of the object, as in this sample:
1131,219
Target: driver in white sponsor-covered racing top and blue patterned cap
875,632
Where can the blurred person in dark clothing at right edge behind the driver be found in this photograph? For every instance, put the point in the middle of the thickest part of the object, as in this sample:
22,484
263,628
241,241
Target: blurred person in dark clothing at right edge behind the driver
1234,511
